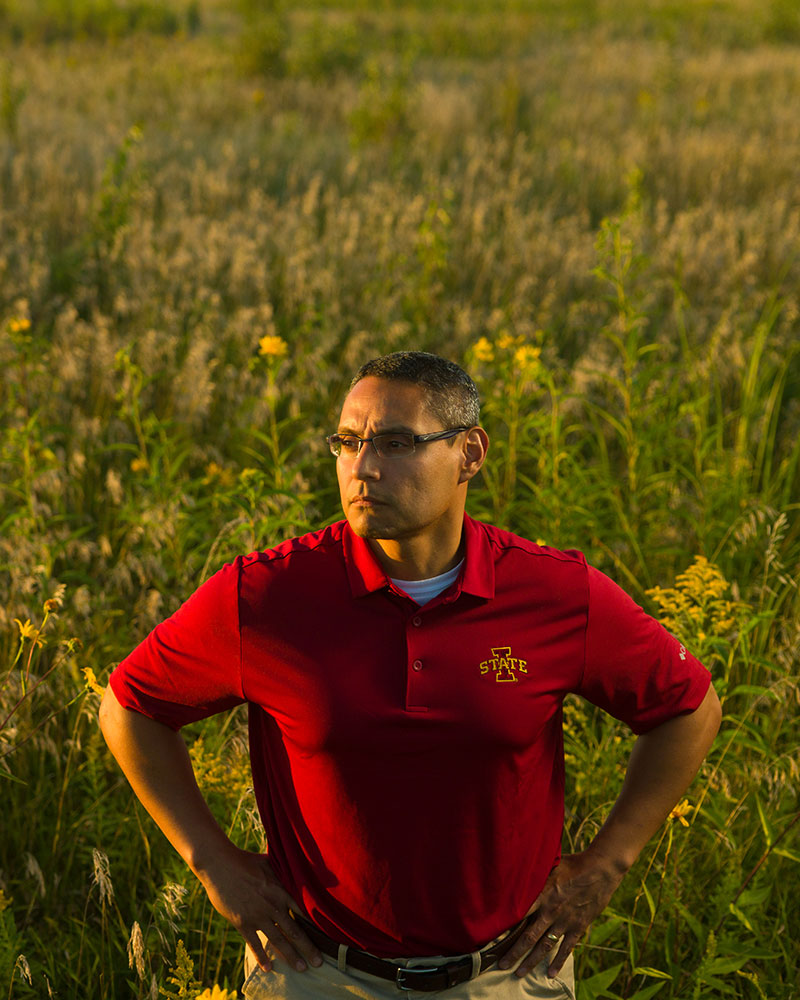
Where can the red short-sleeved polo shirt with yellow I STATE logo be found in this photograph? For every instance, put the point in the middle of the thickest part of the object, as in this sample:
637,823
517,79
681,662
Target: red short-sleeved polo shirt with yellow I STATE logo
408,761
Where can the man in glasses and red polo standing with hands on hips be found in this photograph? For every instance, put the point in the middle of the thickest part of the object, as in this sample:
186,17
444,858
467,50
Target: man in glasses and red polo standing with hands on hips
404,671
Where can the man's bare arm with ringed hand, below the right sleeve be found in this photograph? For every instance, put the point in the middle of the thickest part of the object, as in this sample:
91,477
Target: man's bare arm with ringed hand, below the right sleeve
660,769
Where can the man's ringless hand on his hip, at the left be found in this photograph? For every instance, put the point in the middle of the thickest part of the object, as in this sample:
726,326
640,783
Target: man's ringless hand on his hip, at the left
243,888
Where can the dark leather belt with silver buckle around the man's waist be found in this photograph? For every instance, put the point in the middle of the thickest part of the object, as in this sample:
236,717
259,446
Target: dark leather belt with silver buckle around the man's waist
426,980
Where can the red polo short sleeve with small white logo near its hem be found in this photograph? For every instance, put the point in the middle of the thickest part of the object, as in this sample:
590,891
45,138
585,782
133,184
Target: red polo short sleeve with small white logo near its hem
634,668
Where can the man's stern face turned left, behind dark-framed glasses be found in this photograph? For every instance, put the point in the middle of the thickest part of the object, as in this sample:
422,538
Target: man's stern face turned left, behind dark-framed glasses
396,498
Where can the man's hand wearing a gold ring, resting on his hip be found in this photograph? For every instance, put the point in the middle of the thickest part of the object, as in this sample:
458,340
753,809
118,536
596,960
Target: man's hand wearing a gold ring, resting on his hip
575,893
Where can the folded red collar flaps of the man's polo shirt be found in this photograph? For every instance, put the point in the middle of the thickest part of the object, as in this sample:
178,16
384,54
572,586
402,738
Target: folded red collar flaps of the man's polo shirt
366,575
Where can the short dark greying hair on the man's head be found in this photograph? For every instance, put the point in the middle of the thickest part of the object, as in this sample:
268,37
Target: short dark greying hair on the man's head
450,392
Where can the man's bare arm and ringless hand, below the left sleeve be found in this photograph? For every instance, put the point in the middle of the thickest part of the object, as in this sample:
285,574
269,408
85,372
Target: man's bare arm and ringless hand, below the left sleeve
240,885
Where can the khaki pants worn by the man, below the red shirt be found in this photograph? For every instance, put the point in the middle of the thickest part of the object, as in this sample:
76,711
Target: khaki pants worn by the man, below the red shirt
335,981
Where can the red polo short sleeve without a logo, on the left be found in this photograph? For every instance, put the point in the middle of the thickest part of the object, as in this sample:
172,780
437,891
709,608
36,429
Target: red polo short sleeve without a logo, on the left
189,667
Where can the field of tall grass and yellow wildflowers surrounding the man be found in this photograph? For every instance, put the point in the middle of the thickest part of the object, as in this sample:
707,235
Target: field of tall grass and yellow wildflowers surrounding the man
210,214
